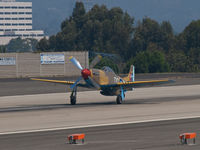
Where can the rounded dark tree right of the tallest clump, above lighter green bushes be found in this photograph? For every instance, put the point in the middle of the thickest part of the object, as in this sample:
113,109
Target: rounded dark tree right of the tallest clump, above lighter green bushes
150,32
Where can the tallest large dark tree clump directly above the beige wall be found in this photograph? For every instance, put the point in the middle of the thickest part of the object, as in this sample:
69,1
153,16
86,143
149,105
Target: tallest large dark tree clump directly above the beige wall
98,30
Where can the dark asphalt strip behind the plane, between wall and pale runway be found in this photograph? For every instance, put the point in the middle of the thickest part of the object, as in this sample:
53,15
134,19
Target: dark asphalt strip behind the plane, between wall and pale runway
25,86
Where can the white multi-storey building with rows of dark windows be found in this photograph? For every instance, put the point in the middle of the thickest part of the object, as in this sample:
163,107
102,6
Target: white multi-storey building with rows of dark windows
16,21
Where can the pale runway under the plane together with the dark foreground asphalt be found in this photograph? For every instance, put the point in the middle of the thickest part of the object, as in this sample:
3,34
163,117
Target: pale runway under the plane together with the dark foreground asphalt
43,121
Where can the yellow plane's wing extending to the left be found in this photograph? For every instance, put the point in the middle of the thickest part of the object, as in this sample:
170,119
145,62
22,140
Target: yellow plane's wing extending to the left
59,82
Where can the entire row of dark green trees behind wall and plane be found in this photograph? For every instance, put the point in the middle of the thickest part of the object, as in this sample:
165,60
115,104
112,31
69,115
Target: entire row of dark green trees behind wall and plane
151,46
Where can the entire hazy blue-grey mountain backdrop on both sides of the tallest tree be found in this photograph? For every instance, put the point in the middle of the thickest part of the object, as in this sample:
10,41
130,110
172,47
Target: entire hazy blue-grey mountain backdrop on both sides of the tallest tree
48,14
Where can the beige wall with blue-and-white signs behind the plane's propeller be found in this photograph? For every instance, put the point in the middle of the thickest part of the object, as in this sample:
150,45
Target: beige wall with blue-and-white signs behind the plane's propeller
40,64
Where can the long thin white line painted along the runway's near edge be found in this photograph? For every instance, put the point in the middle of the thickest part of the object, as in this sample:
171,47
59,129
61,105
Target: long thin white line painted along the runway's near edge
98,125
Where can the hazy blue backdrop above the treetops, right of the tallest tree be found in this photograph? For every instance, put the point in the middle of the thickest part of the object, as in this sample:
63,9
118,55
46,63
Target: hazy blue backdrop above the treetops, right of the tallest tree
179,12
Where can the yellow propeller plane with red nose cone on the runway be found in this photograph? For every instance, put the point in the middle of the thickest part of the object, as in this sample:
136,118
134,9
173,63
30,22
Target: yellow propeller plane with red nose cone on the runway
104,80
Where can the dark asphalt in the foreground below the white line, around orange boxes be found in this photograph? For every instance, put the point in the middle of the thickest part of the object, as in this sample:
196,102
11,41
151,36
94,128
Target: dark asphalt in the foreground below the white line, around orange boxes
142,136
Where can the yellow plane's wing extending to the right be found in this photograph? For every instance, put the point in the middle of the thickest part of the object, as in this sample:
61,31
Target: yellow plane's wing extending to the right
136,84
